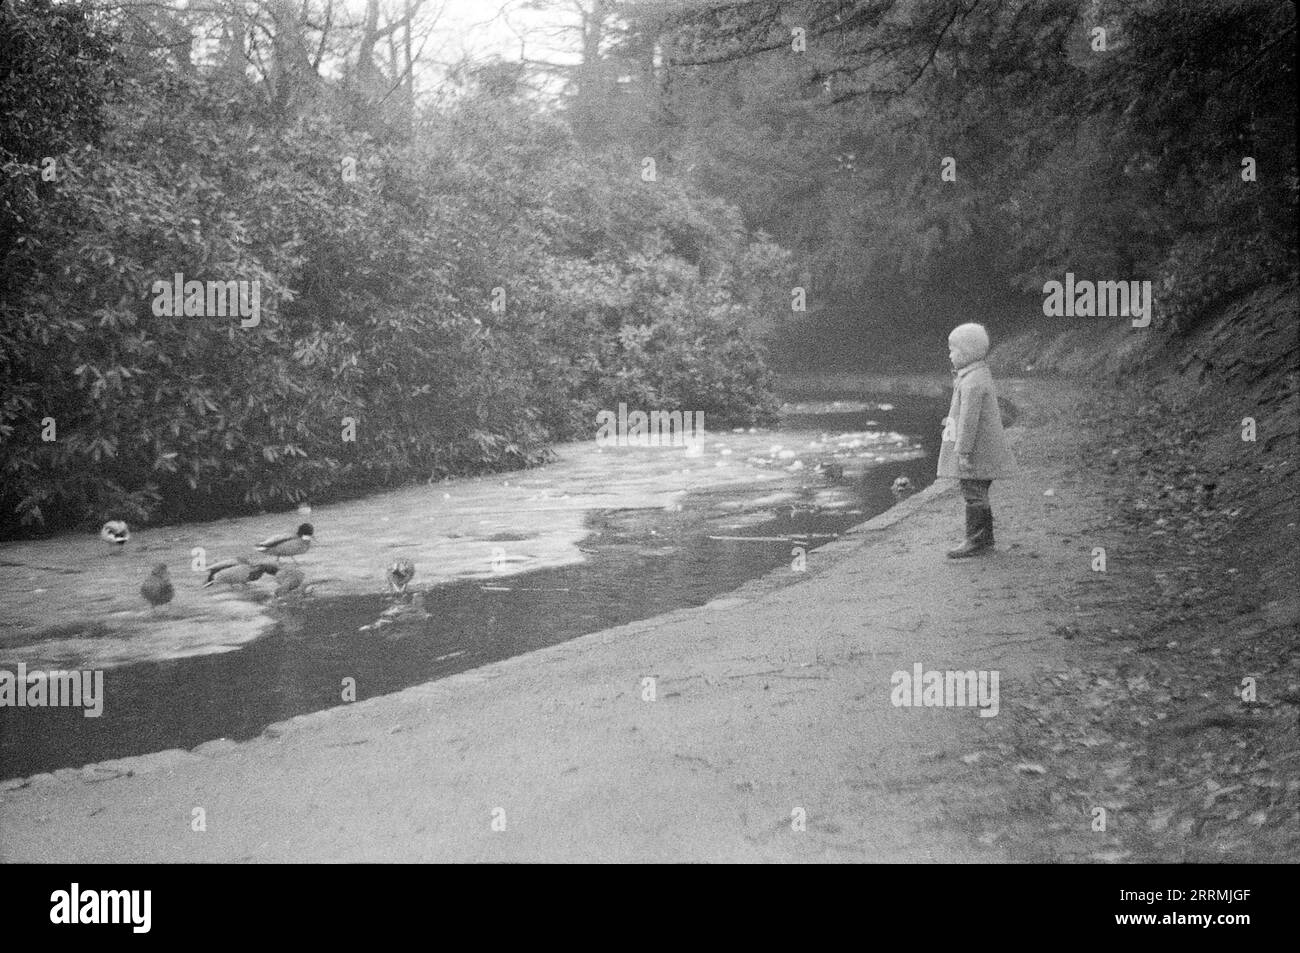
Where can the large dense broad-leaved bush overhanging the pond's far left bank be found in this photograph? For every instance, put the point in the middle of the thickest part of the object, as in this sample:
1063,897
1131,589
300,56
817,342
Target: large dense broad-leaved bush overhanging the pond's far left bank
378,302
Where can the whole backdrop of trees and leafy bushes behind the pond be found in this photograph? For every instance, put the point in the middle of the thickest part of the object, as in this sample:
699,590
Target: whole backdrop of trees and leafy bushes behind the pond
467,263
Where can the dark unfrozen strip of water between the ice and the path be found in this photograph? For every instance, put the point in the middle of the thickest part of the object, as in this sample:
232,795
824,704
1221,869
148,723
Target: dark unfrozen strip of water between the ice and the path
640,564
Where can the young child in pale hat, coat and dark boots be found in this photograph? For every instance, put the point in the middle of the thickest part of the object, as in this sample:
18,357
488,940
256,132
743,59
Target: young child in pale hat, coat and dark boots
974,448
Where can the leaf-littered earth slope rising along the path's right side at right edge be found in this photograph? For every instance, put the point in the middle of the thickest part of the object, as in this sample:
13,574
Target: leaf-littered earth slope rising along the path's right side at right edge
1206,584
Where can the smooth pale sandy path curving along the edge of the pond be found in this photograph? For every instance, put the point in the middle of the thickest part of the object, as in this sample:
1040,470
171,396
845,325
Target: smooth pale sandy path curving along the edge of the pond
772,708
